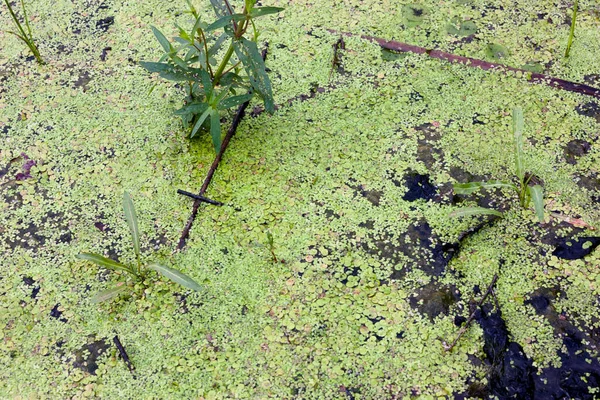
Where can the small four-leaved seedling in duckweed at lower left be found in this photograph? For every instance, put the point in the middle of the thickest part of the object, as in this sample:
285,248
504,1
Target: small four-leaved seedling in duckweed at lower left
137,272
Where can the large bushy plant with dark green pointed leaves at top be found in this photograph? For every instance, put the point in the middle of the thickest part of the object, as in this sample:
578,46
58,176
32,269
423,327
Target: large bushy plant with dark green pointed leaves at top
211,86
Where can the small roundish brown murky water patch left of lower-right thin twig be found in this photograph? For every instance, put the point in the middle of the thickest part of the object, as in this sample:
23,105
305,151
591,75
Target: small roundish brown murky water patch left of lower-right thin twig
434,299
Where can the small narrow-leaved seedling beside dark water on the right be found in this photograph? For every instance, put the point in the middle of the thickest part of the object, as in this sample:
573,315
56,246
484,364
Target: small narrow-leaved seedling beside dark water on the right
526,188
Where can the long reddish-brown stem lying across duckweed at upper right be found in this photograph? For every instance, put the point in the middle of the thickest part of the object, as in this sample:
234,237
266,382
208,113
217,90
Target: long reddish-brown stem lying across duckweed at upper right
473,62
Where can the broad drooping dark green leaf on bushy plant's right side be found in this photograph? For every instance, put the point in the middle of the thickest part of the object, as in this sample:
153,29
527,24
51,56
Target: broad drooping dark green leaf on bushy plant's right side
248,54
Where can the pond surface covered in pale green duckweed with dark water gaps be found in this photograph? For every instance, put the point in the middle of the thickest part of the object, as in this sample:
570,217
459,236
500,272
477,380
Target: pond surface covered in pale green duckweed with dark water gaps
332,270
